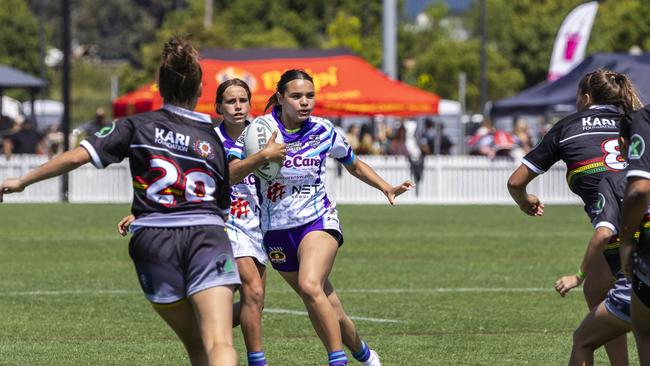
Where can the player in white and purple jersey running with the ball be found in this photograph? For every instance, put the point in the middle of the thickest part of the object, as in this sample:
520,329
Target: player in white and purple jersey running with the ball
302,232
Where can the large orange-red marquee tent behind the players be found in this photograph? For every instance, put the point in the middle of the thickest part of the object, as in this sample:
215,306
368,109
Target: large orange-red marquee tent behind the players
345,84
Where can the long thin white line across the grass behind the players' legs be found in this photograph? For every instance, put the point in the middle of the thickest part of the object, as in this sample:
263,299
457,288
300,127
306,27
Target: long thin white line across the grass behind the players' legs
349,291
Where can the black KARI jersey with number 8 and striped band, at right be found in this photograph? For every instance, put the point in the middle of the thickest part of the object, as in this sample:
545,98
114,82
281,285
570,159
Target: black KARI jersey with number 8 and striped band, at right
587,141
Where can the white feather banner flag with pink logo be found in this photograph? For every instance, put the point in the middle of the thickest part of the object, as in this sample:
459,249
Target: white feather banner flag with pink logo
571,40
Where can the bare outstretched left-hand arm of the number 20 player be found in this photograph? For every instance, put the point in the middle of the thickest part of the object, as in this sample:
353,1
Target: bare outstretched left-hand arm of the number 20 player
61,164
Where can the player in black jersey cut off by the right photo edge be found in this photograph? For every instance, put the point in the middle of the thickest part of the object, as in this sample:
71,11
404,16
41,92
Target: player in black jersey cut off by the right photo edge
635,255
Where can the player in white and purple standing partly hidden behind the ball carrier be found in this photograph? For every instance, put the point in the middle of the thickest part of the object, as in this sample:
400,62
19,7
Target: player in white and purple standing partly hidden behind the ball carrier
244,231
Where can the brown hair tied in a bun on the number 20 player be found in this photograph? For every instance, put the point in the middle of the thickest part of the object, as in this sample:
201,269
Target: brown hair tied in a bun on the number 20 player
179,74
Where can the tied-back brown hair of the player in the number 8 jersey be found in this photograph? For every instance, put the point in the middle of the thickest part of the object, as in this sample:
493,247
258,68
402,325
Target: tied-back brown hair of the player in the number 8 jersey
610,87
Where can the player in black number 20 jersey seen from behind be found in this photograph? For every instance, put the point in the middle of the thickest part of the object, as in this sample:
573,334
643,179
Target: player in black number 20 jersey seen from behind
180,250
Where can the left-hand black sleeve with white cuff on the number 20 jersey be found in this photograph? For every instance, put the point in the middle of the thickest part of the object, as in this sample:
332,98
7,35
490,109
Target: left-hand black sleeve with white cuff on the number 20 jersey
110,144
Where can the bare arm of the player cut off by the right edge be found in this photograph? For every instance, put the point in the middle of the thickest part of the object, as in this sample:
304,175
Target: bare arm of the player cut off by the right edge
635,203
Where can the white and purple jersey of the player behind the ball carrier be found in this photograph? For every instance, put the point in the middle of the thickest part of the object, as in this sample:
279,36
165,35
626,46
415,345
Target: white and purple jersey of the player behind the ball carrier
243,224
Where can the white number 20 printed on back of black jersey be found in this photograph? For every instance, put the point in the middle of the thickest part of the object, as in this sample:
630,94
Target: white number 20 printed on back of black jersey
195,185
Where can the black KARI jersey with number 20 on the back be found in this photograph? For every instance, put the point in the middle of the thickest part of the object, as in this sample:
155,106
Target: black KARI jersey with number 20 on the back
177,161
